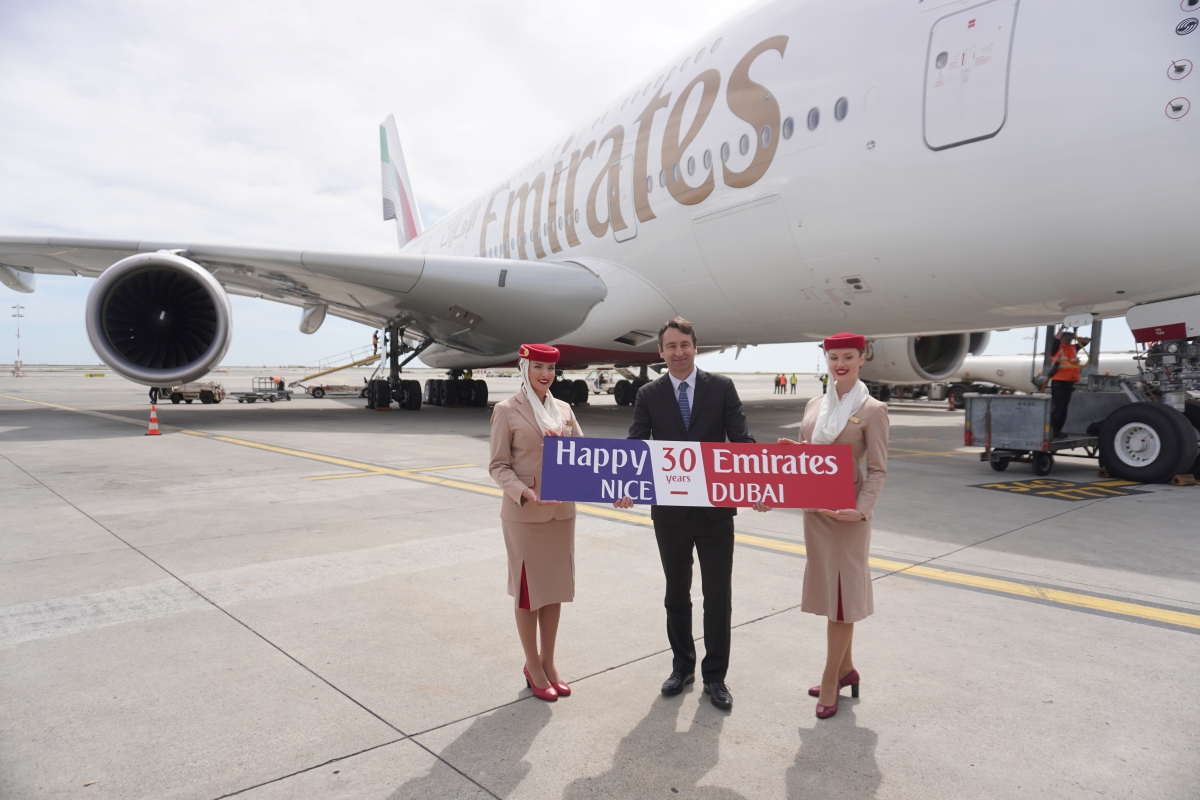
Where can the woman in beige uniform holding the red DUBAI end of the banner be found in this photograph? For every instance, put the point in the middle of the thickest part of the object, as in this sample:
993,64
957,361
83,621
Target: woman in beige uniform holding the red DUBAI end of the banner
837,575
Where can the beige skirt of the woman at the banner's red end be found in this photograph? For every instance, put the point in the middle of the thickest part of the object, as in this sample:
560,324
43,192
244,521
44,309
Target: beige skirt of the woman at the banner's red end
838,573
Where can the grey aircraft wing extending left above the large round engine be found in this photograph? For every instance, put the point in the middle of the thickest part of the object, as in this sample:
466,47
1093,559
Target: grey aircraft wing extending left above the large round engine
485,306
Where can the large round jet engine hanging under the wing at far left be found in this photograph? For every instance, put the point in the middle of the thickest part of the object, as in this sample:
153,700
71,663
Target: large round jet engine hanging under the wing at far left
159,320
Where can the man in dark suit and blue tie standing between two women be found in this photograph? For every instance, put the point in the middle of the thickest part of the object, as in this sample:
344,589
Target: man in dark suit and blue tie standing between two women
688,405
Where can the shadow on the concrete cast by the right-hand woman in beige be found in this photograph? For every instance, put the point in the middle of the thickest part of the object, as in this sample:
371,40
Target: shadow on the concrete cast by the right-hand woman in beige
837,760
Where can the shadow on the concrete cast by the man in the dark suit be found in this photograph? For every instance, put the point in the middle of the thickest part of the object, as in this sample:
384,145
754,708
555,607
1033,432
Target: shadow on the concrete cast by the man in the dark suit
655,760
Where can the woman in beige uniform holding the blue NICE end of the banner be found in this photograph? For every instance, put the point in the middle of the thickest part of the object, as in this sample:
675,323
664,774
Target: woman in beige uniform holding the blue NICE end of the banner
539,536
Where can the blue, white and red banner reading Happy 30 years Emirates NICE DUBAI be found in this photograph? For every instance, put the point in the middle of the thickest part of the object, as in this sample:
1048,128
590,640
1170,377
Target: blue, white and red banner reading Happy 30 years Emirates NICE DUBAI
698,473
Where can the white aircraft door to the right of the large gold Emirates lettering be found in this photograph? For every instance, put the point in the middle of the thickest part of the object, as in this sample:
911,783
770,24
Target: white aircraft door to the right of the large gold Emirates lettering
967,75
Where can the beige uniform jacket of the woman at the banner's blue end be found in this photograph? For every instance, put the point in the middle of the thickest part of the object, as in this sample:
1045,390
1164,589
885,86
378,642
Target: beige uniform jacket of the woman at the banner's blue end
517,459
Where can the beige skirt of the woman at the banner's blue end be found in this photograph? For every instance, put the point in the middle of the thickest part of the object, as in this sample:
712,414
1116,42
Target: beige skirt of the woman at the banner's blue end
542,562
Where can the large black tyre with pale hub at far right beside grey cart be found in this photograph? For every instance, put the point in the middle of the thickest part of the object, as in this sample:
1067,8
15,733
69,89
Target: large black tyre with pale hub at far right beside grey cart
1148,443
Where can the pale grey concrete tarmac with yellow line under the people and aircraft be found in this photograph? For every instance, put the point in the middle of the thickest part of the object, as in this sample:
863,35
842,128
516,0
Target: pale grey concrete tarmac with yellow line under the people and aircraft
308,600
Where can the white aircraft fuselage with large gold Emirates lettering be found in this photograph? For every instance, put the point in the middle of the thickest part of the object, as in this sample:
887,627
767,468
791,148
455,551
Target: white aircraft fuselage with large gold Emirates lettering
1069,194
